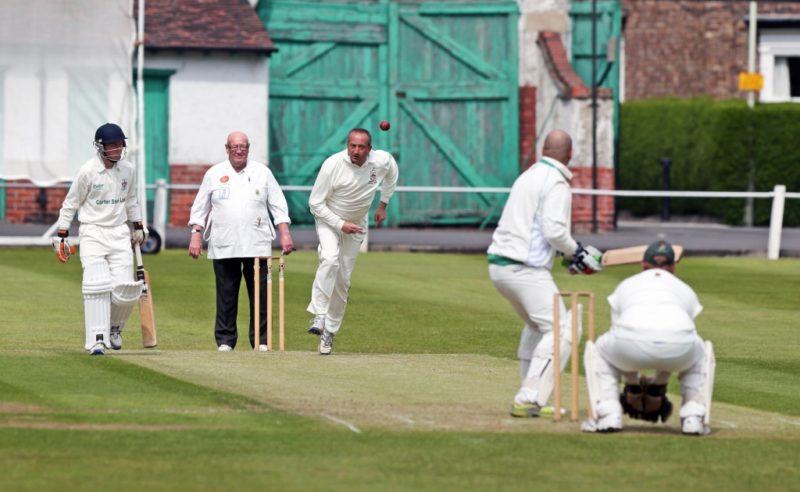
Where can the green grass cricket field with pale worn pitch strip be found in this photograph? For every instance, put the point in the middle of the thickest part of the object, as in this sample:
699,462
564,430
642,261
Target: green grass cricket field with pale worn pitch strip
415,397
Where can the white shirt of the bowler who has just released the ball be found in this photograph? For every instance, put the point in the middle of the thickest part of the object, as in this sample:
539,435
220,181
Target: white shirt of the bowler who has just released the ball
344,191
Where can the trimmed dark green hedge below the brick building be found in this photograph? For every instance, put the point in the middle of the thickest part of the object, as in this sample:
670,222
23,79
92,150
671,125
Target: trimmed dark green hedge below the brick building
711,144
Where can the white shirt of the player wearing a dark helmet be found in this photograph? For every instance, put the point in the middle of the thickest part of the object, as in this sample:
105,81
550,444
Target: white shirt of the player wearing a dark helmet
100,196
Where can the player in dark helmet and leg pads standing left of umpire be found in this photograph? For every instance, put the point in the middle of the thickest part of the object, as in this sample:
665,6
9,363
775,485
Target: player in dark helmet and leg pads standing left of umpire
104,196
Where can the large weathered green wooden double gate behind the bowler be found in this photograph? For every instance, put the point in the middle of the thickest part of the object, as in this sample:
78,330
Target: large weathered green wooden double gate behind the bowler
444,74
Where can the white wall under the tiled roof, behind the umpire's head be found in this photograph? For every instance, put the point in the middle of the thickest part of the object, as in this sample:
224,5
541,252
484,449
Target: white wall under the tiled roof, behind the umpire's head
211,95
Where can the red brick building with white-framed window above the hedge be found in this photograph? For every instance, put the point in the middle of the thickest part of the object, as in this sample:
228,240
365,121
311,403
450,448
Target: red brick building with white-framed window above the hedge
689,48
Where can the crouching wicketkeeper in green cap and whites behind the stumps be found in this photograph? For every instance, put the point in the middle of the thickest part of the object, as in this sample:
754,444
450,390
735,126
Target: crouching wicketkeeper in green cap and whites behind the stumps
652,327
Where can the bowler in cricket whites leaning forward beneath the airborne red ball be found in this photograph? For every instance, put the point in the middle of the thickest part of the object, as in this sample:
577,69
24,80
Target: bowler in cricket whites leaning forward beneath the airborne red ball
340,200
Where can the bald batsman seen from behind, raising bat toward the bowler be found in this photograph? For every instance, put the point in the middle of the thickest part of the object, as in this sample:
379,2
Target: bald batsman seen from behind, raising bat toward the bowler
535,224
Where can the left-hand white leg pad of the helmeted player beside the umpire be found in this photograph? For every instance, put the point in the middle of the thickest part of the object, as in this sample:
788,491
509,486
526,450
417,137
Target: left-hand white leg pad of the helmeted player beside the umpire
96,303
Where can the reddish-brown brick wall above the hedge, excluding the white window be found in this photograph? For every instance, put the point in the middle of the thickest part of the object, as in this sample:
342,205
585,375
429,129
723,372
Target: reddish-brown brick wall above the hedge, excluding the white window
688,48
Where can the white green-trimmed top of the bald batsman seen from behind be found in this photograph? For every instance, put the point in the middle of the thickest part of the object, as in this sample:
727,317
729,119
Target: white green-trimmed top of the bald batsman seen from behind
536,219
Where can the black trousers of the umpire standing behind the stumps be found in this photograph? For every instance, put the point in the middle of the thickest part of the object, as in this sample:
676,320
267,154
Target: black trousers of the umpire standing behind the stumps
229,273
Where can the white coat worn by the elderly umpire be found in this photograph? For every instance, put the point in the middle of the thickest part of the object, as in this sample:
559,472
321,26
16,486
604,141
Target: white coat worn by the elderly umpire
238,207
